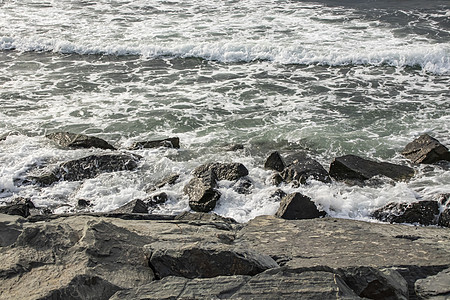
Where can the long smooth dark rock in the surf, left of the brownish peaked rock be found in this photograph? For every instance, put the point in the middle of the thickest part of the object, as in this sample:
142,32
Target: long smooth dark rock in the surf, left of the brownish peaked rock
352,167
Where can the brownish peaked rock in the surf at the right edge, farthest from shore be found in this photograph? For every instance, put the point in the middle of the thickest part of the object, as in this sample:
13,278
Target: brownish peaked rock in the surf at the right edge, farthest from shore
426,150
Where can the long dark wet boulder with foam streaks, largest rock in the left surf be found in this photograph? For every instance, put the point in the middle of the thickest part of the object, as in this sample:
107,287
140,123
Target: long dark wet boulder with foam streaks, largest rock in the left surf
87,167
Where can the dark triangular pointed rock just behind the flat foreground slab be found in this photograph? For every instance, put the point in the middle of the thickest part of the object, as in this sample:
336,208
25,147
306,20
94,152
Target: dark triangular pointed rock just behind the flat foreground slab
297,206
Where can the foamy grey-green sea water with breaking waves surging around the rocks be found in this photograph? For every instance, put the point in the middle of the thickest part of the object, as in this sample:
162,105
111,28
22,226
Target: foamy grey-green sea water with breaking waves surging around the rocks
326,77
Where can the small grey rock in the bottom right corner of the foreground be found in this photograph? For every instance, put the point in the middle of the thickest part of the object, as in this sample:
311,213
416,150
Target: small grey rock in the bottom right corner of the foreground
435,287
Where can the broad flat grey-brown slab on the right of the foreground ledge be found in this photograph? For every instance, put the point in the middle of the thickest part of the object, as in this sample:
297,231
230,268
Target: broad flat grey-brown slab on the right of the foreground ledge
343,243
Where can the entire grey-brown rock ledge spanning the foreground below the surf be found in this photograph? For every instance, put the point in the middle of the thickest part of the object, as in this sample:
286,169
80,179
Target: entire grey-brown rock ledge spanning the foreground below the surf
204,256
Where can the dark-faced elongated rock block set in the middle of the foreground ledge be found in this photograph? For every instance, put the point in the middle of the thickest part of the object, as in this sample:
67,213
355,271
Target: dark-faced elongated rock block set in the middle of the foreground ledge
205,261
